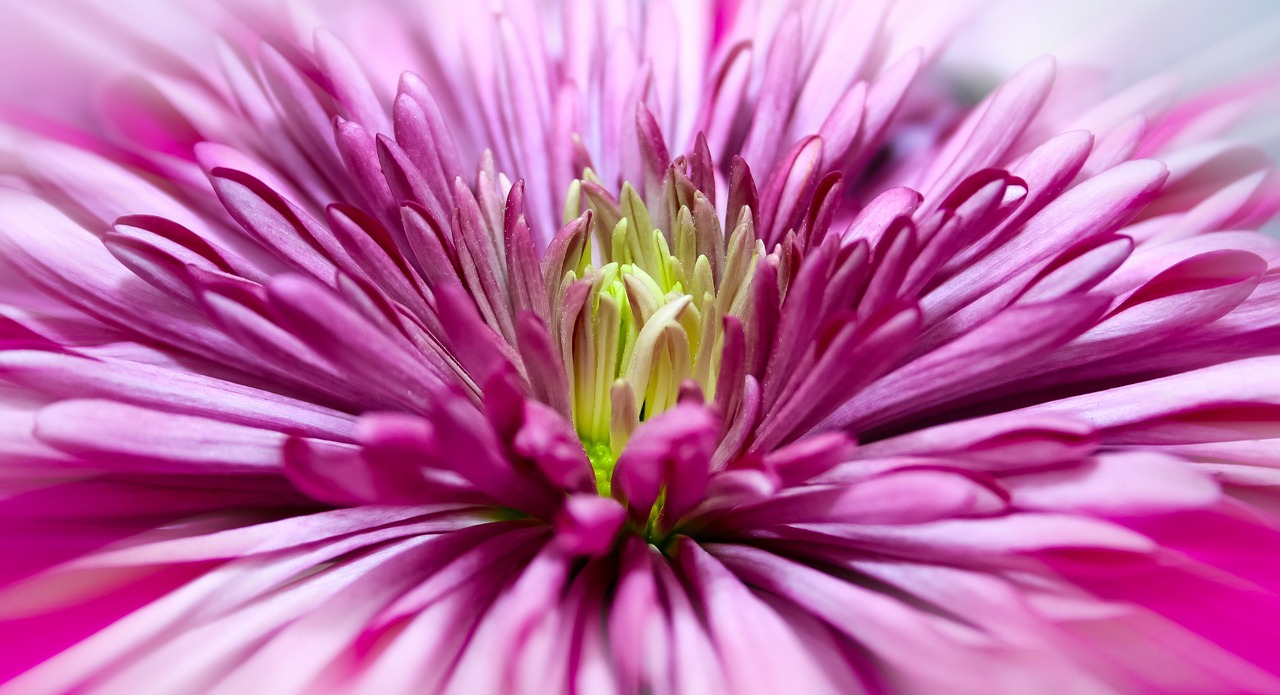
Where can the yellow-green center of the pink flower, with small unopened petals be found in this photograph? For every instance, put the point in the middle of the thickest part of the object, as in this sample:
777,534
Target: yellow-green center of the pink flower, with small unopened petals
639,313
